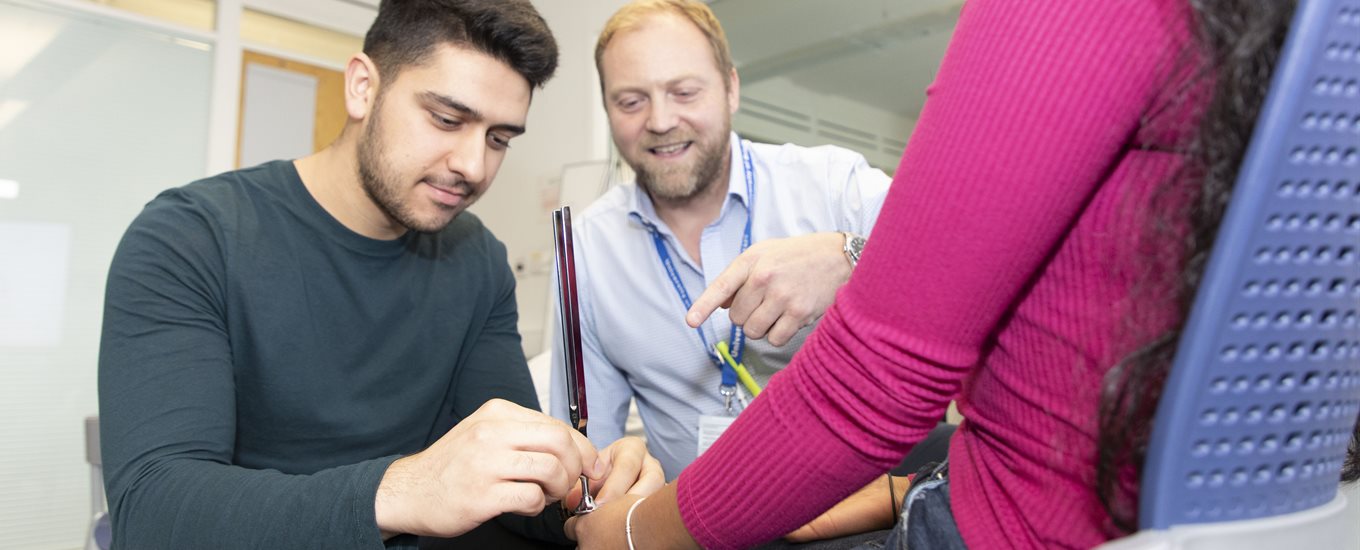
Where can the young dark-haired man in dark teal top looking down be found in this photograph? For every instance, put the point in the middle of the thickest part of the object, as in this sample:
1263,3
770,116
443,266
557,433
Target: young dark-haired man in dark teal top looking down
323,353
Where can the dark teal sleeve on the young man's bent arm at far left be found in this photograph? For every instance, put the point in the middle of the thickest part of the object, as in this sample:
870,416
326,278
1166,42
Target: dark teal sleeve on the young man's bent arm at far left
168,412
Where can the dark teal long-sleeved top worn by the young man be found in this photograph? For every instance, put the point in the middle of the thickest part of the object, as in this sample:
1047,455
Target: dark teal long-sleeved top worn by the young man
262,366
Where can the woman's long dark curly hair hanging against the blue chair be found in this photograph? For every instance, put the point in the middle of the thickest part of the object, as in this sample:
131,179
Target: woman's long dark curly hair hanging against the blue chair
1236,48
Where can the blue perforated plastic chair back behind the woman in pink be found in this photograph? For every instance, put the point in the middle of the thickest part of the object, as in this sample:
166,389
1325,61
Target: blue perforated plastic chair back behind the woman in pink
1253,428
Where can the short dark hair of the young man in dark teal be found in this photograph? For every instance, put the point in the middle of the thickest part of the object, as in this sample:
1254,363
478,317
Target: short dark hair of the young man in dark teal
407,32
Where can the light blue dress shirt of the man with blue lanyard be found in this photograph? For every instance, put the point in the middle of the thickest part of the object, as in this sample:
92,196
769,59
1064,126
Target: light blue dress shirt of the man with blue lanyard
634,338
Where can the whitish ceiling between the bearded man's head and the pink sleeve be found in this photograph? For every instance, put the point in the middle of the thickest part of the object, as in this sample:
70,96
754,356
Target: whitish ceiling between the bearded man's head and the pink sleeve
882,54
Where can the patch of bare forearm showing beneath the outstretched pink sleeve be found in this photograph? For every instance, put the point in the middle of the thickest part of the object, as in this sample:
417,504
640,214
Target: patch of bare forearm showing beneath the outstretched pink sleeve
867,510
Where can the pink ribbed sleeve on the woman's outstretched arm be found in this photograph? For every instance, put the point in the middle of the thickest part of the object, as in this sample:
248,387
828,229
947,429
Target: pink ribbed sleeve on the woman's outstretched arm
1033,107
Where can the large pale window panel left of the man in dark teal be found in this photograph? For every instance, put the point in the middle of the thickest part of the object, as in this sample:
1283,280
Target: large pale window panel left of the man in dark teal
97,116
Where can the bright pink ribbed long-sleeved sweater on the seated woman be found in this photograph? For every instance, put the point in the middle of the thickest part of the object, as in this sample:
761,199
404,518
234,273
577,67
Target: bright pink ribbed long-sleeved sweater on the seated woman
999,276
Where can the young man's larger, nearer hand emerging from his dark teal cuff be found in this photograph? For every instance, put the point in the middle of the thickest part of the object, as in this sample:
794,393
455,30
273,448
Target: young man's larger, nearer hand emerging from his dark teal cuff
503,458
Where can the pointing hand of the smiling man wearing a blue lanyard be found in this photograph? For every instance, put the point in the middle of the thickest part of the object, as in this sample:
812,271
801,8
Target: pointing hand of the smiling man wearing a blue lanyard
777,287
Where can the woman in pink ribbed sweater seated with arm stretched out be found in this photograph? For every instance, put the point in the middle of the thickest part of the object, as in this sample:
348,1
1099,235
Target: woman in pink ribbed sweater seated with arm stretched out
1018,269
